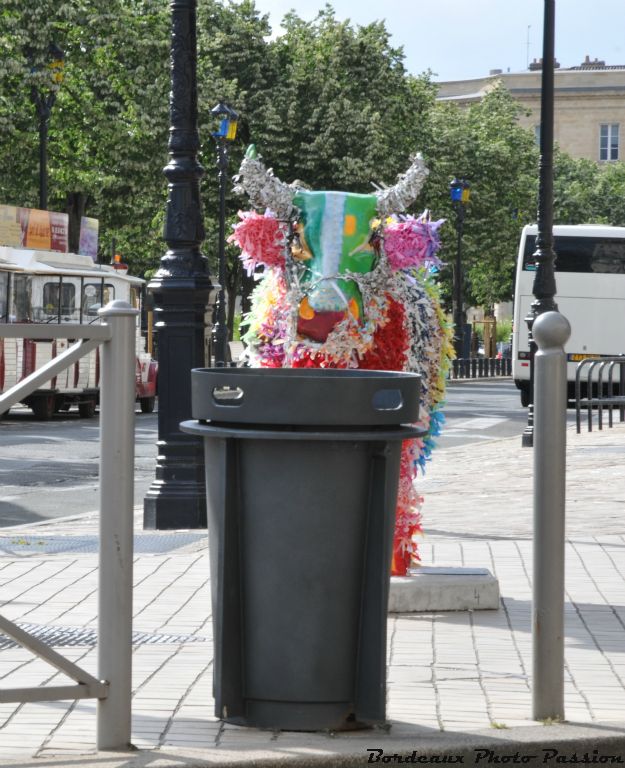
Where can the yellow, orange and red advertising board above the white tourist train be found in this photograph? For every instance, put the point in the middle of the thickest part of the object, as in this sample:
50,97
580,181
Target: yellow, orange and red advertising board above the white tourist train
32,228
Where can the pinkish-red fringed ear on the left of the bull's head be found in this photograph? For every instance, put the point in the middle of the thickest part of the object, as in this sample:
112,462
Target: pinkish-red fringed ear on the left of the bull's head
261,240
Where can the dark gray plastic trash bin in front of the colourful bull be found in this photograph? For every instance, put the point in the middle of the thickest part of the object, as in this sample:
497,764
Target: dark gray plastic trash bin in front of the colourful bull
302,470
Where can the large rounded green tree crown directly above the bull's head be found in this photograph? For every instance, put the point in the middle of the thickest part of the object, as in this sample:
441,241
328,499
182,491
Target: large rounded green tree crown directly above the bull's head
346,112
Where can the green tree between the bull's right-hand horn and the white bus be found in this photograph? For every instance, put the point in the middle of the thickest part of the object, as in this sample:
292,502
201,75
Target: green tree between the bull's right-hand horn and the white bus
486,145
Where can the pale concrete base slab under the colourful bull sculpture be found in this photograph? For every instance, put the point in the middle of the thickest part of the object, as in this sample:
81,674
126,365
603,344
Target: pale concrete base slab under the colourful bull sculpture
432,588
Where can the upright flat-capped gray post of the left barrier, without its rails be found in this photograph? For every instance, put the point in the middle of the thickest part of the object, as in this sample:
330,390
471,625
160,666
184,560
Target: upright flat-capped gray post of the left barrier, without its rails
117,420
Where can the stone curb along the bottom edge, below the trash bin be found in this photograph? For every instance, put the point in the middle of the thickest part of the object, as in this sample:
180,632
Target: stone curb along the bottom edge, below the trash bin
544,745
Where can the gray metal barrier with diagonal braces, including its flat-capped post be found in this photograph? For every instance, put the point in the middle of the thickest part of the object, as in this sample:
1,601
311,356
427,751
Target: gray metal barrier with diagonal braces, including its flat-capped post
112,688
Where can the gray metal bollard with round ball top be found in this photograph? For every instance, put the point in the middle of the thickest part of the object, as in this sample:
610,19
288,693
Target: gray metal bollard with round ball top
551,331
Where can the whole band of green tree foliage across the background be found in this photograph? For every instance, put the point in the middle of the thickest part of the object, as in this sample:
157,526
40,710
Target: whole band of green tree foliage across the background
326,102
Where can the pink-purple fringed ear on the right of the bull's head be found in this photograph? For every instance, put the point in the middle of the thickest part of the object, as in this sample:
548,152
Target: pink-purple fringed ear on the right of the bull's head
412,243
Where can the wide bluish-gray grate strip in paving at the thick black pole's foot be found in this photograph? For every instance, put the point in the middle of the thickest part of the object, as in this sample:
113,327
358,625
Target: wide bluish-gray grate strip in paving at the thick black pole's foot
146,544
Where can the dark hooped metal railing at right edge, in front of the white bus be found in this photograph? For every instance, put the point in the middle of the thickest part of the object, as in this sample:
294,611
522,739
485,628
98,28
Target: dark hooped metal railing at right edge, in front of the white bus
597,389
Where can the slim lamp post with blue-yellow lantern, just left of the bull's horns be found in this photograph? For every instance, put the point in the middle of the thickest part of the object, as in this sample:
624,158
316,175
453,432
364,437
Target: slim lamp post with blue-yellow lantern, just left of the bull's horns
227,132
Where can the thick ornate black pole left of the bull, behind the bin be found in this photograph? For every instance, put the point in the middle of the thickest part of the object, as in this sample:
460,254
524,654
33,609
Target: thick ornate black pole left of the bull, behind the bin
181,290
